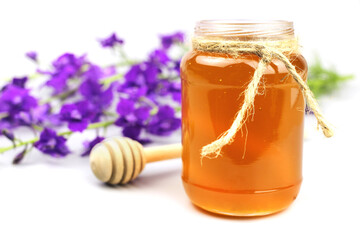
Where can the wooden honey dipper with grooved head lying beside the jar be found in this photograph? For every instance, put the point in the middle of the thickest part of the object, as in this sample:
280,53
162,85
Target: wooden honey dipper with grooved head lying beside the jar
119,160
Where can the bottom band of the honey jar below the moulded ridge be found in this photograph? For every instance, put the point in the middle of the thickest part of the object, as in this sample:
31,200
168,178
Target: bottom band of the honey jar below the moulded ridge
242,204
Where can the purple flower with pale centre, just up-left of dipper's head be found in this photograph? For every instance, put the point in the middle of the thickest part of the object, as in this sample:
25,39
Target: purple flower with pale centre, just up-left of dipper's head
77,115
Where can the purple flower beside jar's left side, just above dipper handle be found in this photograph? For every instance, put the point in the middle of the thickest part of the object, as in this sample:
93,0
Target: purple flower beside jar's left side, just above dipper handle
164,122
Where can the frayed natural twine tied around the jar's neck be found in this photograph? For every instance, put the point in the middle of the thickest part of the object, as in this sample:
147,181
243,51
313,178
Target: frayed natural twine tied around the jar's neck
267,51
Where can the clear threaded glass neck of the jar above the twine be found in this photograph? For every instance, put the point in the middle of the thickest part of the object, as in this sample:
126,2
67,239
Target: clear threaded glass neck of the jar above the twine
245,30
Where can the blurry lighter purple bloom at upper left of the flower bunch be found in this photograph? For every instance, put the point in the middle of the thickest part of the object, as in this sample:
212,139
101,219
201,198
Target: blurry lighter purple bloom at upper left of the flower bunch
65,67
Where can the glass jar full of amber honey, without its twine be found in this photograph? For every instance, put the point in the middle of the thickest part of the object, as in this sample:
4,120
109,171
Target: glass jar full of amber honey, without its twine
259,173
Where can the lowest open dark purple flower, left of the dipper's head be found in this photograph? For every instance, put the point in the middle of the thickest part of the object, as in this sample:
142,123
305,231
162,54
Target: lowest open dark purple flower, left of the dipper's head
52,144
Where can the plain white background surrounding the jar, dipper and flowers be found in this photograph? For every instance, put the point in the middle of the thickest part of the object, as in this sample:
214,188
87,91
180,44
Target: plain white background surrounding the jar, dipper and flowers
60,199
